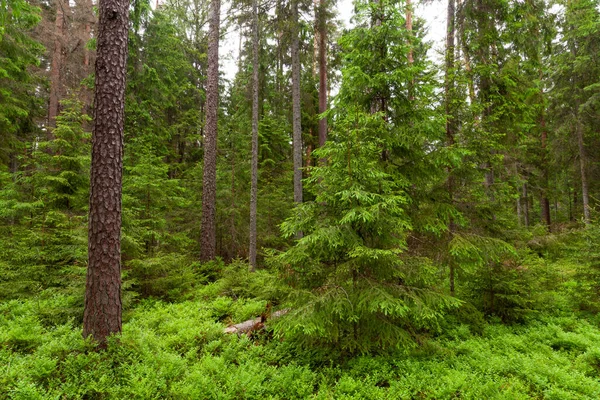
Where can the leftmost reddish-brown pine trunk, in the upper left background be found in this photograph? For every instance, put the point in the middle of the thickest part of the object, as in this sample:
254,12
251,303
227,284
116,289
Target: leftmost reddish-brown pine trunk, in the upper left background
57,62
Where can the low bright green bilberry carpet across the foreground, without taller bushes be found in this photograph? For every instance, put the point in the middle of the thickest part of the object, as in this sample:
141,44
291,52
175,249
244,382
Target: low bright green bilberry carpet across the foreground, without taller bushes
179,351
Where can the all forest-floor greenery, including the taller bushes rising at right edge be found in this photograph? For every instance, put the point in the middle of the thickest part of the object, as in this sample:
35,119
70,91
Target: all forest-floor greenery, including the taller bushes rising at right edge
177,349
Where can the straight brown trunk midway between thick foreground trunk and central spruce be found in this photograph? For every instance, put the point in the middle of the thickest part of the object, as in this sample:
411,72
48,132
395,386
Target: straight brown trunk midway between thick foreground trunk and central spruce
208,241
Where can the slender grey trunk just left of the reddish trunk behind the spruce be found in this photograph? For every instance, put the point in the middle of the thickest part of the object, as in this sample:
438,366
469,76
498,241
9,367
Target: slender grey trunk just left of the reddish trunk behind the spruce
296,122
